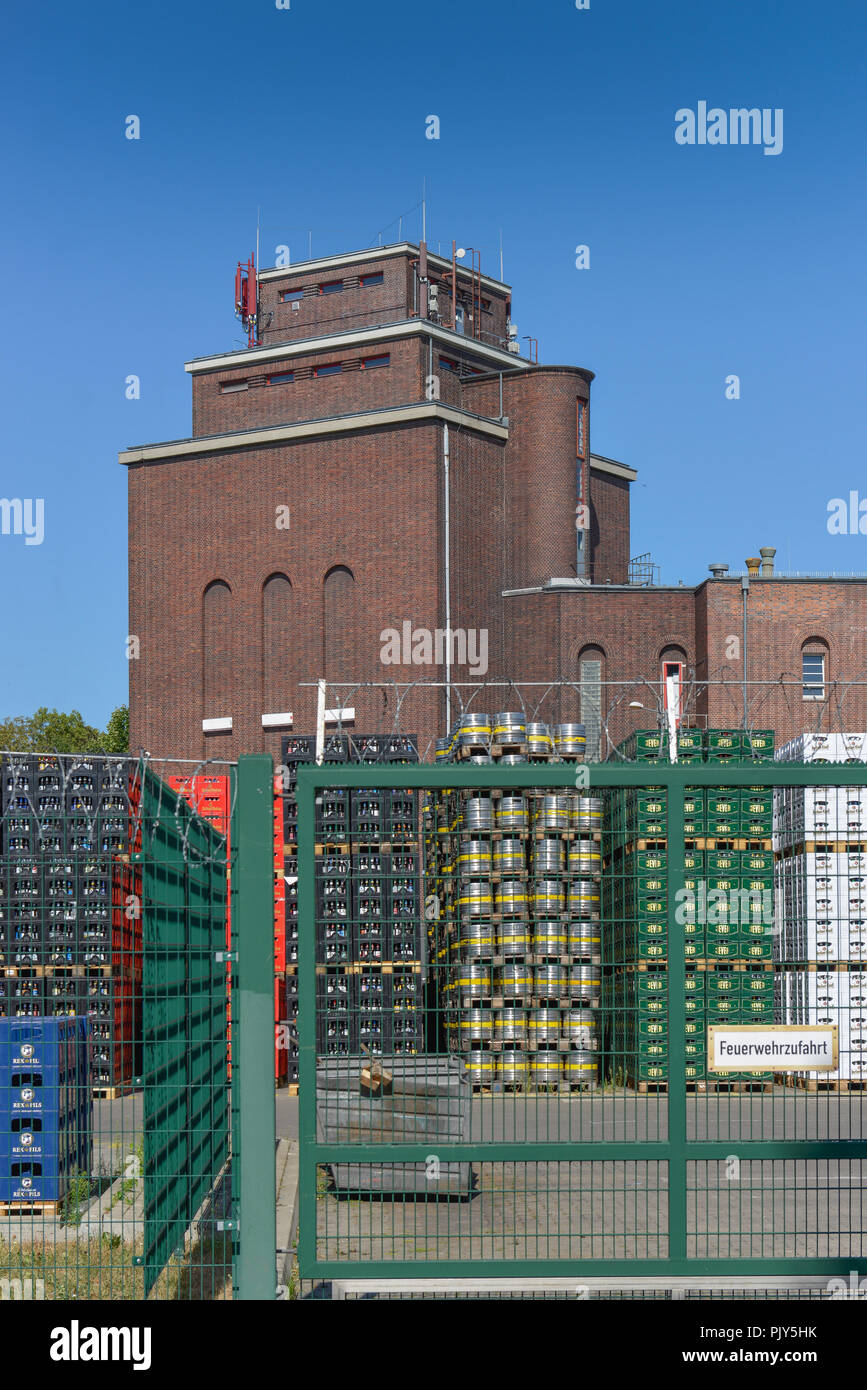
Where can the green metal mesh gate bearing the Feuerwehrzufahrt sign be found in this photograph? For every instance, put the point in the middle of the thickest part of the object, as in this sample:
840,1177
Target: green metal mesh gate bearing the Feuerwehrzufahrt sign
558,1114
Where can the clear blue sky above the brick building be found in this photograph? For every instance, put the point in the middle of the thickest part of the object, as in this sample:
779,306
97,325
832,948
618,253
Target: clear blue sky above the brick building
556,127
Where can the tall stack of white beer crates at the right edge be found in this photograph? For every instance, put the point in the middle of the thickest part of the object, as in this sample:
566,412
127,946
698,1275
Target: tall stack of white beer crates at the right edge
820,839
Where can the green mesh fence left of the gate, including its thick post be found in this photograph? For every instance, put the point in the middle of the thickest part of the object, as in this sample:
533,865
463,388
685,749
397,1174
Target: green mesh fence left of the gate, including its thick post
134,1139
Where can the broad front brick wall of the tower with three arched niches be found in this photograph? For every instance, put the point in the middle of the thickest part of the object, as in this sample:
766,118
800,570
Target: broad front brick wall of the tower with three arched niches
368,502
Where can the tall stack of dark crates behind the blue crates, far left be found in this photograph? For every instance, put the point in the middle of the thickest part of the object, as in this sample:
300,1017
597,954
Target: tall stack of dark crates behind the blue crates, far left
70,942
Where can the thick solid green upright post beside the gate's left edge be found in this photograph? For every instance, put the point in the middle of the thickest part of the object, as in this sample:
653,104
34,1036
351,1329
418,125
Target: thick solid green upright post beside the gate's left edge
254,1163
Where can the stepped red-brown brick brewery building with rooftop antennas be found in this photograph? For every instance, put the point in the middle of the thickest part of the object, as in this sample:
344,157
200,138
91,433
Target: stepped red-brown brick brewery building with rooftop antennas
309,514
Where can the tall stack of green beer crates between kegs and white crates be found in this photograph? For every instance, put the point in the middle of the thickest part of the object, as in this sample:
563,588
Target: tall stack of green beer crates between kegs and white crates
727,915
